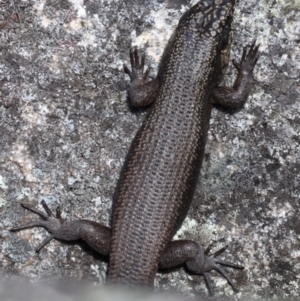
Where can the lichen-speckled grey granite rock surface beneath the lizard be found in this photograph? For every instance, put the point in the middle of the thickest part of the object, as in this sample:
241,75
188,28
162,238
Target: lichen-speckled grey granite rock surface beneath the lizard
65,128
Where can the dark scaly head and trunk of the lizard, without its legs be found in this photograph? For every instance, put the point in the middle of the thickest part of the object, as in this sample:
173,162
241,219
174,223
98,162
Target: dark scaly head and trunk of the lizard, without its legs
160,172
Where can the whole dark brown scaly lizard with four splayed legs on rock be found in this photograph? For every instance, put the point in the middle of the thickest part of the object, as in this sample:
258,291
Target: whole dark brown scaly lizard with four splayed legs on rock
161,169
